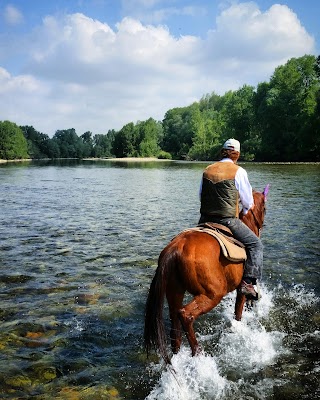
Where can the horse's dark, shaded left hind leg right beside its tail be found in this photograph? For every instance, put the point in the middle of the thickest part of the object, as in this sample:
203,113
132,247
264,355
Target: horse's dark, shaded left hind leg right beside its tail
175,303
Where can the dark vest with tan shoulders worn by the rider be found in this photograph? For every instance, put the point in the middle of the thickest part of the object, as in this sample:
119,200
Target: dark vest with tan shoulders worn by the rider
219,195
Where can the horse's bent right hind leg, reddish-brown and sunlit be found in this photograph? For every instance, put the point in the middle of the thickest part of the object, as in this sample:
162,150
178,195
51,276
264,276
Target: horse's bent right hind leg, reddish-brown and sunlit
200,304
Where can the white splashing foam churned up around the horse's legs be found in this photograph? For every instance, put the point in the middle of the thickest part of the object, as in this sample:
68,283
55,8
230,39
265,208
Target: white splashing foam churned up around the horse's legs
242,348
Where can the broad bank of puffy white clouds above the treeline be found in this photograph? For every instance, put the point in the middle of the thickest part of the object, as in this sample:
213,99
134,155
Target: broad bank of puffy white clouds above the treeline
83,74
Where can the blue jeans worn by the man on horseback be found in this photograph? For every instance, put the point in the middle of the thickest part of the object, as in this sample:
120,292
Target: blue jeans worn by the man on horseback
253,245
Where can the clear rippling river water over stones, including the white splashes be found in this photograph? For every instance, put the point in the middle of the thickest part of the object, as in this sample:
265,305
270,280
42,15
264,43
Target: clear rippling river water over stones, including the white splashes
79,243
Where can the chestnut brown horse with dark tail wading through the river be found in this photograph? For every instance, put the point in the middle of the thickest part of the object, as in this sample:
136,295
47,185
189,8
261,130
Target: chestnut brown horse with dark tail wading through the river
193,262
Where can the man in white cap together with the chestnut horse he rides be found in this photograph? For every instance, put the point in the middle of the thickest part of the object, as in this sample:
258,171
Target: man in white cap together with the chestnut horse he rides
194,261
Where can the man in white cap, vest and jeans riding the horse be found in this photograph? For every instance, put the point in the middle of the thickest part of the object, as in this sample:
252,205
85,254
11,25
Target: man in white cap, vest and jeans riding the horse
223,184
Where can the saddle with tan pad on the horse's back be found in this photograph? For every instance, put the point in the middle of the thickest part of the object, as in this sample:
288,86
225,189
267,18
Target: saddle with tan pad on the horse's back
231,248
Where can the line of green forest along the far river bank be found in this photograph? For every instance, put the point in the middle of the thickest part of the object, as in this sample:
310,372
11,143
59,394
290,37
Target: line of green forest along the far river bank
277,121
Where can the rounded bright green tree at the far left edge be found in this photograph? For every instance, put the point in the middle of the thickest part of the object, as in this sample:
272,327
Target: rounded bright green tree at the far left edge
13,144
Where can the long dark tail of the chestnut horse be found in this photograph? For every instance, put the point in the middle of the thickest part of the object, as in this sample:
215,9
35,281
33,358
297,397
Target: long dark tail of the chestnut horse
154,328
